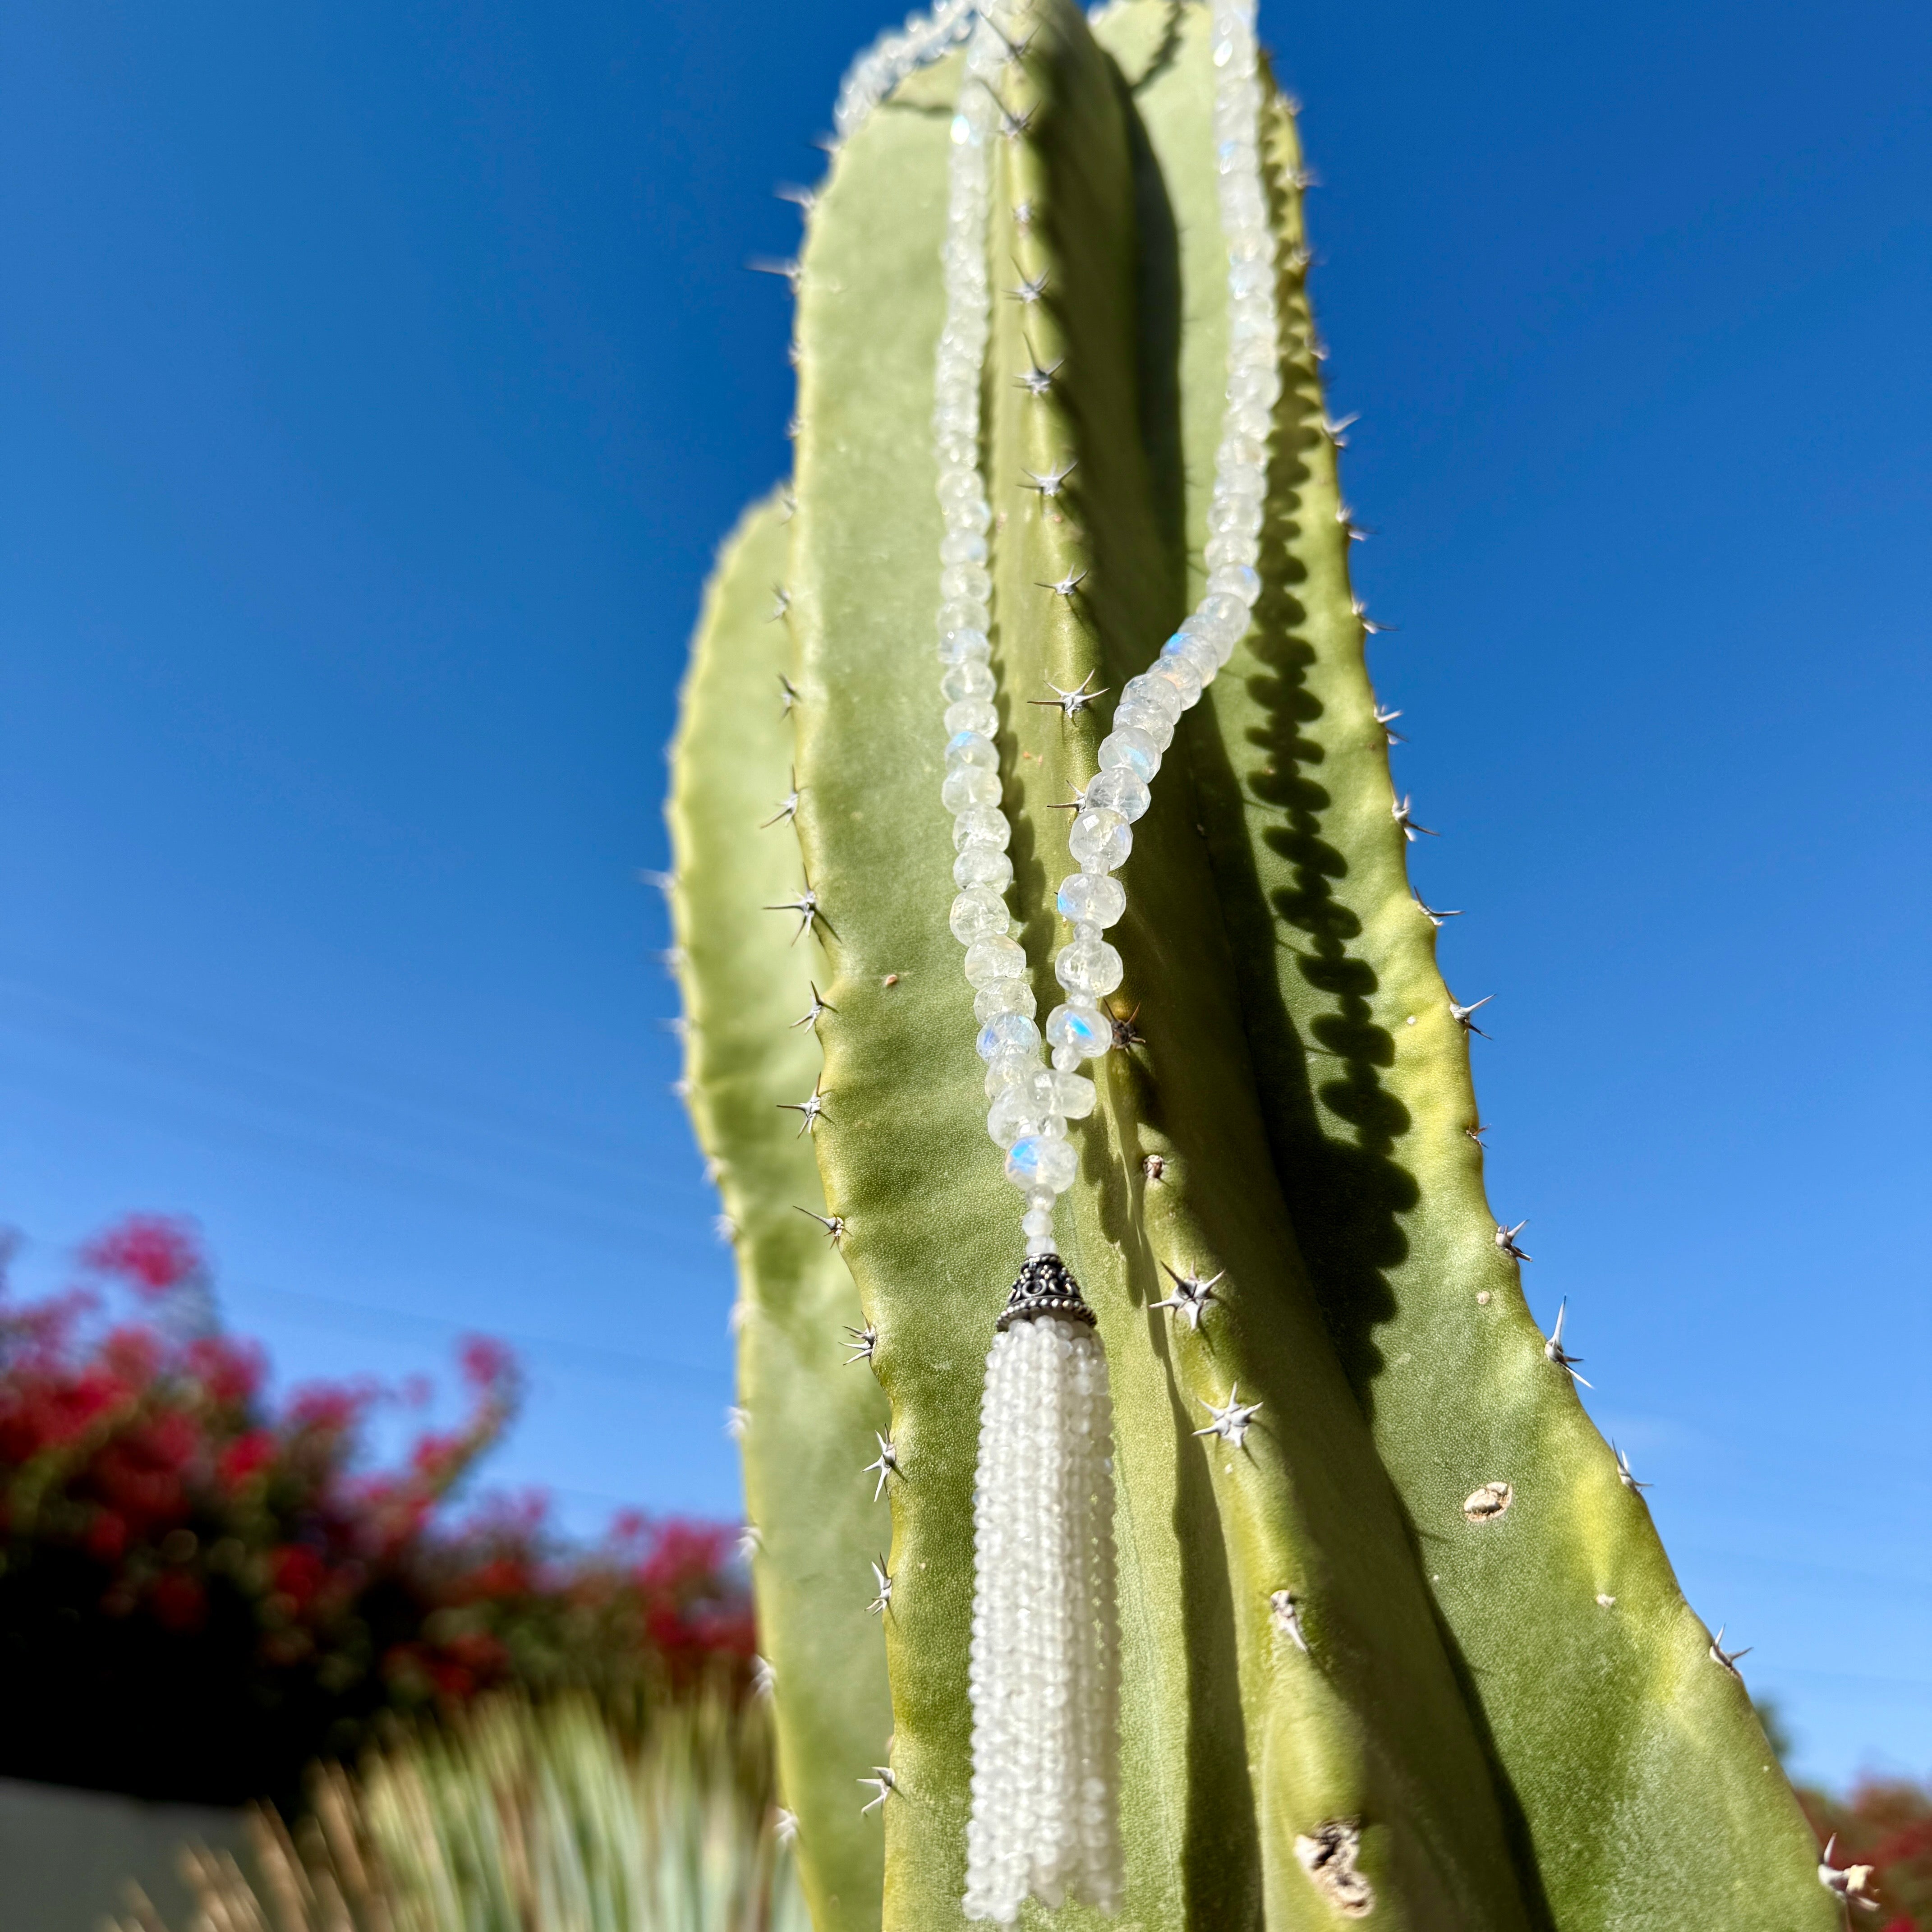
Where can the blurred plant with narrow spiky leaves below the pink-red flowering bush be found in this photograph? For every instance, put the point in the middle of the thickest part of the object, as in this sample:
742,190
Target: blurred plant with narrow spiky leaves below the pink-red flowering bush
523,1819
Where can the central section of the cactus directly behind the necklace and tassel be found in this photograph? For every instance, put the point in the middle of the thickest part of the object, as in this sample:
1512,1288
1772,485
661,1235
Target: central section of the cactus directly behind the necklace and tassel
1373,1726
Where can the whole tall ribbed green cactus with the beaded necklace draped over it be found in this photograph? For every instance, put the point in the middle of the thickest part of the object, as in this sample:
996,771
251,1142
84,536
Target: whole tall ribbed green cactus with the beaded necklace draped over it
1483,1661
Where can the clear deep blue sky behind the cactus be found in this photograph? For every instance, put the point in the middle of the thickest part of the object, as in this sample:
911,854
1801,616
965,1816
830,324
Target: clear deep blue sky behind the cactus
376,384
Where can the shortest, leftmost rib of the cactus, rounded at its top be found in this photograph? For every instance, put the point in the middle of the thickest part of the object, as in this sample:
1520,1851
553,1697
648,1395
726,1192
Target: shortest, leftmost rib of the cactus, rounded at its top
810,1419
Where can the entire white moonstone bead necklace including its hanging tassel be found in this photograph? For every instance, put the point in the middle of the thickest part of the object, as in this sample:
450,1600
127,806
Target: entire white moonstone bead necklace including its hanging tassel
1044,1672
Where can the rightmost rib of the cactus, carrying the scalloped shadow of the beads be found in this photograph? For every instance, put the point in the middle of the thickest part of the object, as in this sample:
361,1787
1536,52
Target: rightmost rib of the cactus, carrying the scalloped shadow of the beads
1639,1778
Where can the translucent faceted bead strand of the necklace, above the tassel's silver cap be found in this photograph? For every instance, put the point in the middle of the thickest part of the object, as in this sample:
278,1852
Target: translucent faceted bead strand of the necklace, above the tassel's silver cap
1031,1106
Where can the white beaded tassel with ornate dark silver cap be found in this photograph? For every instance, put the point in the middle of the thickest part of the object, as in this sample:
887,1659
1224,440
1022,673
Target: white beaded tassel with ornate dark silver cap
1046,1680
